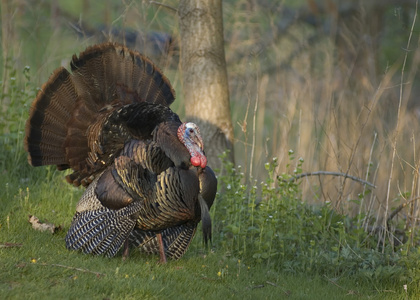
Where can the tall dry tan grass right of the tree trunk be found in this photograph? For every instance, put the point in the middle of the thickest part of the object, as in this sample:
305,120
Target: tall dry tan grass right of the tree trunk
335,113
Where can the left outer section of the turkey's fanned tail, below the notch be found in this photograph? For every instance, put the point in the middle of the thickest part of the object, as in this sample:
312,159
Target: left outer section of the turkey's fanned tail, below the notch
46,128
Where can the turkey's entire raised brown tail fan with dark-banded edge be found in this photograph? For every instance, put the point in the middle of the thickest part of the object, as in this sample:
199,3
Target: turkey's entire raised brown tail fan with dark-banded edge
103,78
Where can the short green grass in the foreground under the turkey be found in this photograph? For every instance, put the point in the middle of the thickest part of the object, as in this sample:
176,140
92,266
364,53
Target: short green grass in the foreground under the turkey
43,268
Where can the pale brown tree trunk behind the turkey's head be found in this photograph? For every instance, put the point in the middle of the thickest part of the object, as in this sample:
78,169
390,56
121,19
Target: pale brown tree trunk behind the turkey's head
204,75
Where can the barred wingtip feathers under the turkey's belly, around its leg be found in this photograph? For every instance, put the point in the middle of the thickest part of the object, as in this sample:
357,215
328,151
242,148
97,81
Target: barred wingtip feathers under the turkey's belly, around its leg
176,240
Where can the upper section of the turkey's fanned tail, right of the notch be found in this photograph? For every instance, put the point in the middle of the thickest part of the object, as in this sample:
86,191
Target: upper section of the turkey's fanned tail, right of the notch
112,72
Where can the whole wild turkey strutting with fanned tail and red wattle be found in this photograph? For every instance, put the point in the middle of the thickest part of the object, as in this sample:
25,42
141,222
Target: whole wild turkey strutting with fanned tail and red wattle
146,172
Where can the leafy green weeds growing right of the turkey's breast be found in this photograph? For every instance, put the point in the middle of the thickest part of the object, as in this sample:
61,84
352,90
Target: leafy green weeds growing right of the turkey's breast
270,224
